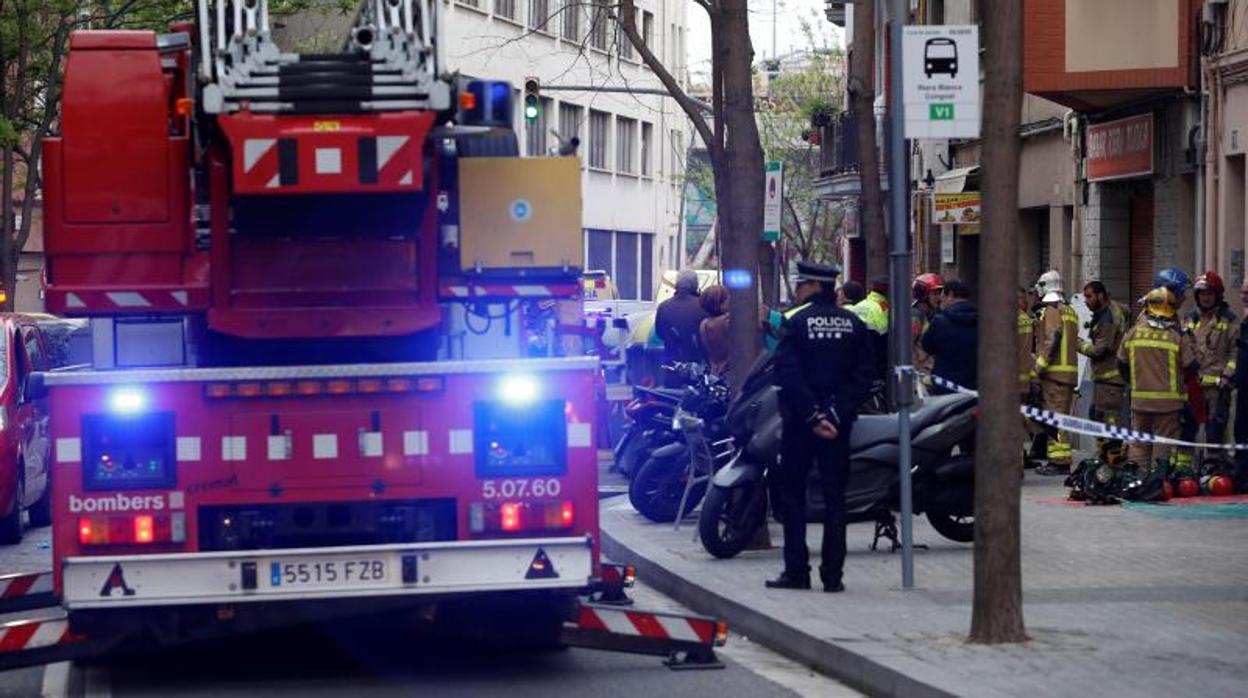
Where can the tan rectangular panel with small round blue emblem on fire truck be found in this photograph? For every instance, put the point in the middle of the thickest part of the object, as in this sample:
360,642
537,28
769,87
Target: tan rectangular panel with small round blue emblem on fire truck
520,213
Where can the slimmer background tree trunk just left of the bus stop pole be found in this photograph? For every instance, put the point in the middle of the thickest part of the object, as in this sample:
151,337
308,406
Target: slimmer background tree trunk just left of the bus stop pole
863,106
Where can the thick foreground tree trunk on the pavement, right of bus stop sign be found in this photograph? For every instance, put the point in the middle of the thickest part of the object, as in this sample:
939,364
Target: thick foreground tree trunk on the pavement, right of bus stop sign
998,606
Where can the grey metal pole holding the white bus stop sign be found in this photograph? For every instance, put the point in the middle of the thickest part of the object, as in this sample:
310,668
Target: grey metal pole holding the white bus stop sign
899,287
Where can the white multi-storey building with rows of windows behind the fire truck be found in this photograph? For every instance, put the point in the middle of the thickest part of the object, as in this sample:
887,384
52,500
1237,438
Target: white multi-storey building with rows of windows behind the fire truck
595,87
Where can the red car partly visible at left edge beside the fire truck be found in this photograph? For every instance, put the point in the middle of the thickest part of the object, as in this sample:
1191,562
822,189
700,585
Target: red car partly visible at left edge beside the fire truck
24,444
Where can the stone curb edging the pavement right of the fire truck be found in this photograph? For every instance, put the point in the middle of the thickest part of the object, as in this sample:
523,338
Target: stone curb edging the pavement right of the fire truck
854,669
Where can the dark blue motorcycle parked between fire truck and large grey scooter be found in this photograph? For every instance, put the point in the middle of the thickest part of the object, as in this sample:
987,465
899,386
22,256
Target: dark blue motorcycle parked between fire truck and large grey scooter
658,488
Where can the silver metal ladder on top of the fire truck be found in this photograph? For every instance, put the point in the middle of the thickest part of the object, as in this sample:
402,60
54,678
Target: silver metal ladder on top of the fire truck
390,63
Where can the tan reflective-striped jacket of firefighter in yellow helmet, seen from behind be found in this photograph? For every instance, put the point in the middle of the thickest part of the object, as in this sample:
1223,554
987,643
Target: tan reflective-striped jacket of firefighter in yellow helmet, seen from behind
1155,354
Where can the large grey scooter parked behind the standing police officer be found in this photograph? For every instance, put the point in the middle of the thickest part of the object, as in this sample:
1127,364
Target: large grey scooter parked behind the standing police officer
944,483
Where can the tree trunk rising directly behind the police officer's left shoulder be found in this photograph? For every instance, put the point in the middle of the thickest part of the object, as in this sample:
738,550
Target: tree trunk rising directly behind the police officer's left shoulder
739,183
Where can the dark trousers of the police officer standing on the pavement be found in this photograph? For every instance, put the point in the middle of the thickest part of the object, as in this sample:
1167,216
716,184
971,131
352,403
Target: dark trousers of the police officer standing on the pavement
802,450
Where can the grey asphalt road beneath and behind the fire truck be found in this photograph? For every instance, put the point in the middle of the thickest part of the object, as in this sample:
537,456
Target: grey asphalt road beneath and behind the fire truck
383,660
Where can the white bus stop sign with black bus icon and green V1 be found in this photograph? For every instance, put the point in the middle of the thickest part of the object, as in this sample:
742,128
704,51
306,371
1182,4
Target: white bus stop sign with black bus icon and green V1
942,76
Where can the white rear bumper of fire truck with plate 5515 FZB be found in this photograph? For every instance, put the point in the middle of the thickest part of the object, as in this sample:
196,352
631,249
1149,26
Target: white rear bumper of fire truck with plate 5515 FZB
313,574
